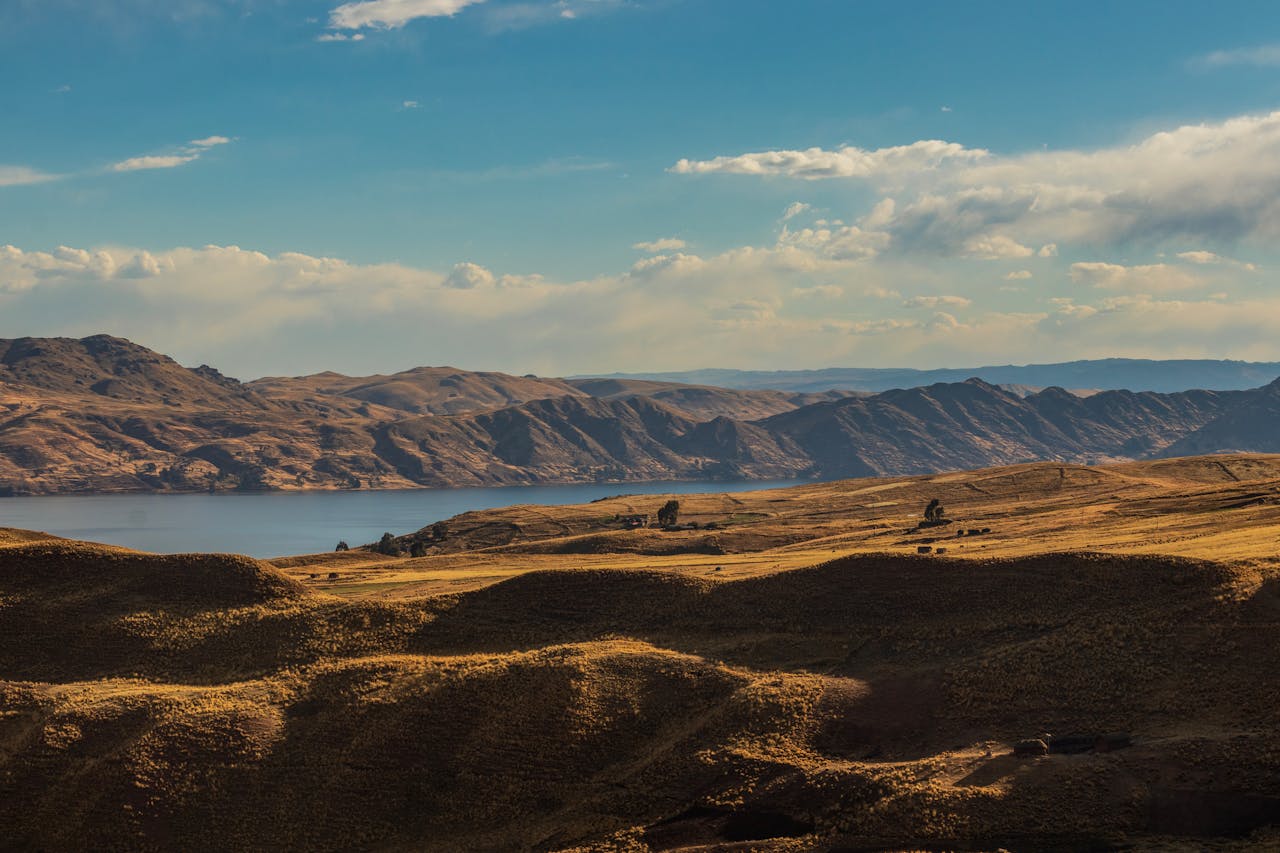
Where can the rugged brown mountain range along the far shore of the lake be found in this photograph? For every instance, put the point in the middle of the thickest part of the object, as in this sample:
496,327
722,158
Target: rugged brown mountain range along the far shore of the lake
106,414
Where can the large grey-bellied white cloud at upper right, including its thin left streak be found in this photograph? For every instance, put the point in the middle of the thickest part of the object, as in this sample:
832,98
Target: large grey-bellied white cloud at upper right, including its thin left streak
1213,183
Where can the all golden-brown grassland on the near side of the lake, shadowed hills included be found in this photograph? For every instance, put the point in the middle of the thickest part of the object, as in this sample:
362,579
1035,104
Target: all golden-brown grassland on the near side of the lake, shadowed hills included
798,678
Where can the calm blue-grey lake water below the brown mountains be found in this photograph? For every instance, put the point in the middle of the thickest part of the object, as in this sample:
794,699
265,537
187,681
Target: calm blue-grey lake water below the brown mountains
275,524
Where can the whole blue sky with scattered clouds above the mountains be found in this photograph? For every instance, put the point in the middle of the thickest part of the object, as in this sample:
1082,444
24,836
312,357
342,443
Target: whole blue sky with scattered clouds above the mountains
592,186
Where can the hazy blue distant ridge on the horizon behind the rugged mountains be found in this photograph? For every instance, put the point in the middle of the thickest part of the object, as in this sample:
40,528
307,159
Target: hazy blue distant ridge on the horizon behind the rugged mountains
1103,375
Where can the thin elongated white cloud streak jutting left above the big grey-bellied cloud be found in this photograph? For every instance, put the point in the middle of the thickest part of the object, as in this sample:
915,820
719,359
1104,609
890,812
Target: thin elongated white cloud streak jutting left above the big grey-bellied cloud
849,162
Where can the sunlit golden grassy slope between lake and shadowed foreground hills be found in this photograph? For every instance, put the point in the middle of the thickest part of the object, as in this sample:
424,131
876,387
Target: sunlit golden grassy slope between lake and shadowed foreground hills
1215,508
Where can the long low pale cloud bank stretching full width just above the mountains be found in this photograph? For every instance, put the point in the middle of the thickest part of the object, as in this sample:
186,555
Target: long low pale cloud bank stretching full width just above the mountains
252,313
